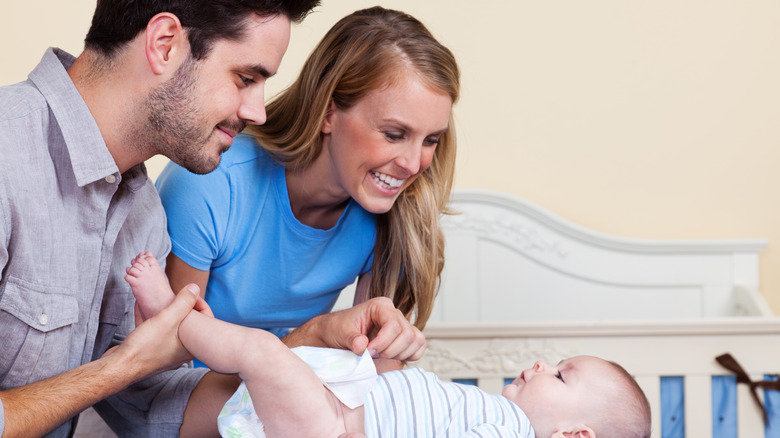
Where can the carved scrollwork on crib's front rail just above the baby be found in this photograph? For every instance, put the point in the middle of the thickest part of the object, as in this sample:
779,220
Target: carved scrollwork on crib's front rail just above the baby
498,357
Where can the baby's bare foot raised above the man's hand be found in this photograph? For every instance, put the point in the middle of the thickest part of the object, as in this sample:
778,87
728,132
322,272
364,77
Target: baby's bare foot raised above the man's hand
149,283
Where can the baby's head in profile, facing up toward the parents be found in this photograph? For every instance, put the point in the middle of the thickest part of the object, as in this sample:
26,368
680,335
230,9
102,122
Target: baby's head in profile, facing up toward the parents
584,393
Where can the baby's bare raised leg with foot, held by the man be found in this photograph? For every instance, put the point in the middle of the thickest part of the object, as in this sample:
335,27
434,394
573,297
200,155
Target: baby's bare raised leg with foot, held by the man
288,397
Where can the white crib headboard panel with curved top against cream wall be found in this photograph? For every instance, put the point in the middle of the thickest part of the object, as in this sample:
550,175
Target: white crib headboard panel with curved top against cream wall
531,265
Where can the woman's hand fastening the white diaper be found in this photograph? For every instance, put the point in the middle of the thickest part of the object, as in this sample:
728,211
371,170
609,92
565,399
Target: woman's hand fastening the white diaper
375,325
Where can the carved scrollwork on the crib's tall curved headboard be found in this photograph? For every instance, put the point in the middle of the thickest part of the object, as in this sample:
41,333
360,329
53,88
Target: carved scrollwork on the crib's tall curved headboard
507,231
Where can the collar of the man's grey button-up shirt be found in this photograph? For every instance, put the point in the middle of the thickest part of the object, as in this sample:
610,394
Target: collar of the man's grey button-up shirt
88,152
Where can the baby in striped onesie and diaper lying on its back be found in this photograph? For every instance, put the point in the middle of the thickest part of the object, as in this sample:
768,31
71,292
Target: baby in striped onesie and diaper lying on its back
580,397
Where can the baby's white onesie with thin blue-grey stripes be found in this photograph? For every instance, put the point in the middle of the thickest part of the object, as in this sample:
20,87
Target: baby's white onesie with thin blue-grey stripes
415,403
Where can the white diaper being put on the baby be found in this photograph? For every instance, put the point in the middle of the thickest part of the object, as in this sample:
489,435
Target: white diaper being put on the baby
349,376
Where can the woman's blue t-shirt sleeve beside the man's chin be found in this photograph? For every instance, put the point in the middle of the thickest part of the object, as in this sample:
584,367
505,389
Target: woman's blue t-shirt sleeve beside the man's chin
197,209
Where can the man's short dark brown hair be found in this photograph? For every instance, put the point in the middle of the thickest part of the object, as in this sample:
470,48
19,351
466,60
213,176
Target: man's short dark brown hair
116,22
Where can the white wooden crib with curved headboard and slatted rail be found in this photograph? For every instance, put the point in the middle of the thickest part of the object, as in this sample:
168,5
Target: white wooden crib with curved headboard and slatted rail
522,284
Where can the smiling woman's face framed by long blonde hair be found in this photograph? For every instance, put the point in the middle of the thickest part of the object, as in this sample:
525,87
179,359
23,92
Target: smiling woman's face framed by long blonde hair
377,148
